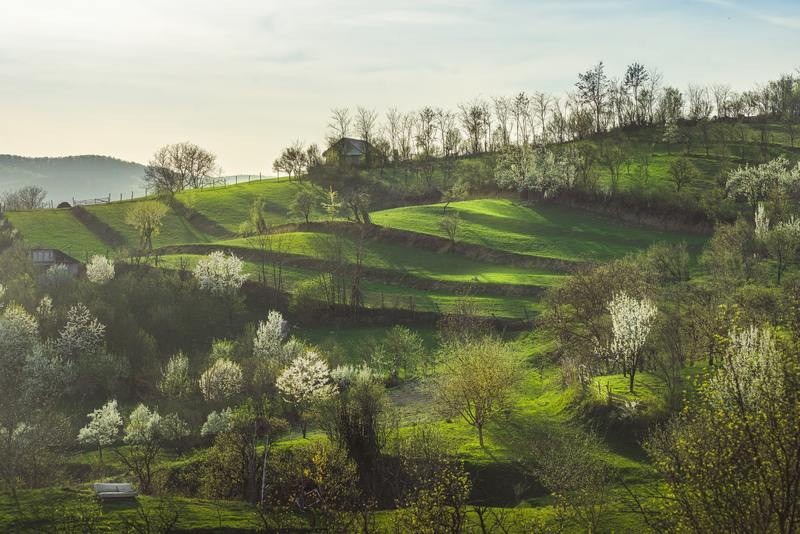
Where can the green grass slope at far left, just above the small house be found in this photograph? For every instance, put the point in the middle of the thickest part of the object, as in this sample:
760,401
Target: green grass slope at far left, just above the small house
57,229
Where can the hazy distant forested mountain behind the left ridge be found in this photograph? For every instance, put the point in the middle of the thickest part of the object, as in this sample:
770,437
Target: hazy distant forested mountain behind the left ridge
78,177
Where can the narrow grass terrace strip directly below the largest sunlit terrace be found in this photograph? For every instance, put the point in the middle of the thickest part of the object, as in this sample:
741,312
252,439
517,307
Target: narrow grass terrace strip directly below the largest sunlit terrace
409,260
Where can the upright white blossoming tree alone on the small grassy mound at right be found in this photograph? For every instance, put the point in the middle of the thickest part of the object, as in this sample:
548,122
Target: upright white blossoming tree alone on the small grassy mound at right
631,322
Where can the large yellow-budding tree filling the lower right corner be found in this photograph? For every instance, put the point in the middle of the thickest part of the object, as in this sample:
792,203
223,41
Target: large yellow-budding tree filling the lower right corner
729,459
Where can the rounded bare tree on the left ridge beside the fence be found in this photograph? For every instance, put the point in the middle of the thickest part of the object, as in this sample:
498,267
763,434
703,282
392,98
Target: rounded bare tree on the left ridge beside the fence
176,167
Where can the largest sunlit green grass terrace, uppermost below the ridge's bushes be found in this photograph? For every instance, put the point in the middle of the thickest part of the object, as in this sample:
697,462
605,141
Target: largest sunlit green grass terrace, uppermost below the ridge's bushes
543,230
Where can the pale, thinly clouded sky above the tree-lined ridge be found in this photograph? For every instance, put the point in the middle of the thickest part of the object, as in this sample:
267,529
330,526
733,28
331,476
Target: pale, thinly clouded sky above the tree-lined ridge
246,78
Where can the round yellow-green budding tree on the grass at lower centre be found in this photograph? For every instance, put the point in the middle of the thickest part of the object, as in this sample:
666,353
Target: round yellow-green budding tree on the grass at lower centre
477,381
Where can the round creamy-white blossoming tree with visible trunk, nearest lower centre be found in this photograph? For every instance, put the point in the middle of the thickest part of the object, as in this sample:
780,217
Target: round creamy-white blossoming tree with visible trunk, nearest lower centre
307,379
